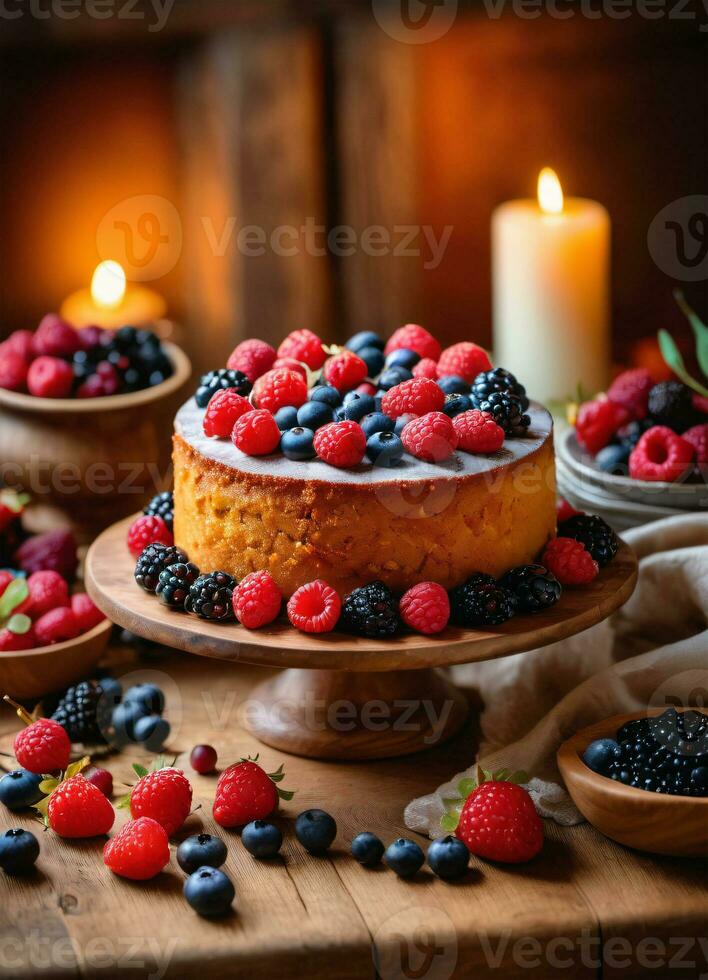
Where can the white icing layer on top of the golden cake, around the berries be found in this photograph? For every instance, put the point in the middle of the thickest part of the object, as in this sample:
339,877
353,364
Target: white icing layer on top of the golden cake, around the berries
188,424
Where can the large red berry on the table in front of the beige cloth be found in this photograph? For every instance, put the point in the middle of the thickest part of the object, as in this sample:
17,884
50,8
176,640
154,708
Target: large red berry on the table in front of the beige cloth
499,822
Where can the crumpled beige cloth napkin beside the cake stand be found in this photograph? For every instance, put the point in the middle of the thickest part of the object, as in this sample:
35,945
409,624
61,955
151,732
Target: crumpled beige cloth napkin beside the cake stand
651,653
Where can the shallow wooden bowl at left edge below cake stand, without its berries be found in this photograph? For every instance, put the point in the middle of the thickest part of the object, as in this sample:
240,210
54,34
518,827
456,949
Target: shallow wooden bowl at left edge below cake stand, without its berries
30,674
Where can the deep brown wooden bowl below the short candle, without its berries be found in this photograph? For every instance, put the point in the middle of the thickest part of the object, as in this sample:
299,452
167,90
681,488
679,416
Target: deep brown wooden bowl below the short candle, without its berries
94,459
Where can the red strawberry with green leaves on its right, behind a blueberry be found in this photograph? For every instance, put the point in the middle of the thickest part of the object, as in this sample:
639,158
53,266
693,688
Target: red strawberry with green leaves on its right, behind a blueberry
246,792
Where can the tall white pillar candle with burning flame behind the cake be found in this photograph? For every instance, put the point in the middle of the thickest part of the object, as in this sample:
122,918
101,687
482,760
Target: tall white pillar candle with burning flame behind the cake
551,270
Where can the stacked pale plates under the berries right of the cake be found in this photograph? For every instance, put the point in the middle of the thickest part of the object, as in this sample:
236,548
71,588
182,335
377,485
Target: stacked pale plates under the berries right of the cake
621,501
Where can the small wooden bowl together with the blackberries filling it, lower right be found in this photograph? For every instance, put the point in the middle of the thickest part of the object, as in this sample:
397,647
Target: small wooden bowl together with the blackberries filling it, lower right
642,779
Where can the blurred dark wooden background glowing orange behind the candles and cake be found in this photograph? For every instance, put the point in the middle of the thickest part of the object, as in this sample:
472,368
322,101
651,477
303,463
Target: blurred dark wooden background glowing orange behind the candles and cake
211,145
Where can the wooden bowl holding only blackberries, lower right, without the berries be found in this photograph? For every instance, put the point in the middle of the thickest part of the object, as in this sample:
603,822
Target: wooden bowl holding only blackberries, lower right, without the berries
676,825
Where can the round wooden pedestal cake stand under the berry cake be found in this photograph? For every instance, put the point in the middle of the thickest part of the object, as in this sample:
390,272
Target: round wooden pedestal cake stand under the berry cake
342,696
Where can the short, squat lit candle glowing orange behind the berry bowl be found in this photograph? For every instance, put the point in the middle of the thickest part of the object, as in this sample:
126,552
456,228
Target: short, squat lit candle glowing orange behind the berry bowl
111,302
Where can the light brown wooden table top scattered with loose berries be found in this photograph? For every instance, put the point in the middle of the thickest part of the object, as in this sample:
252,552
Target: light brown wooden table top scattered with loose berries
584,908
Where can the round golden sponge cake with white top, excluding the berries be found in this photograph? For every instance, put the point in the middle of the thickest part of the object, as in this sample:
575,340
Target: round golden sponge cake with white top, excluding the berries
412,523
